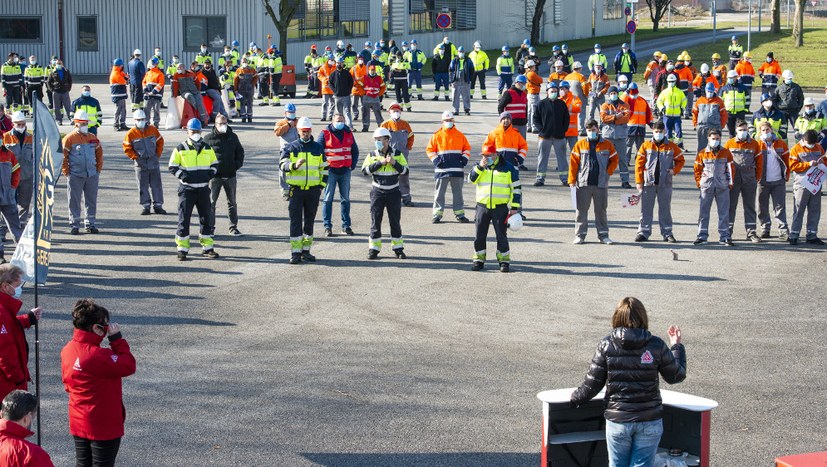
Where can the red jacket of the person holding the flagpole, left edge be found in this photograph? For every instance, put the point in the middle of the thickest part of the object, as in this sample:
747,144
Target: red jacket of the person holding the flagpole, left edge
14,350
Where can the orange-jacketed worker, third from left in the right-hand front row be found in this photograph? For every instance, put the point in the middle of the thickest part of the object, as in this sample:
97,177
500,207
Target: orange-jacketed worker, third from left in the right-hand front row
714,171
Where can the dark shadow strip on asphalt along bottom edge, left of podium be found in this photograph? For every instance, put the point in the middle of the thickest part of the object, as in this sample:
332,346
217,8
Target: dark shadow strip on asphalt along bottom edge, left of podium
453,459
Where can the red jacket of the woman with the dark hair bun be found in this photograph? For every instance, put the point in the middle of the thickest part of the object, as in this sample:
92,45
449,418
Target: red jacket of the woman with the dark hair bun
92,377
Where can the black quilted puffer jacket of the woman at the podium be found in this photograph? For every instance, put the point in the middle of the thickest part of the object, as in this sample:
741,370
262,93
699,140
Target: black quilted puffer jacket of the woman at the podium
627,362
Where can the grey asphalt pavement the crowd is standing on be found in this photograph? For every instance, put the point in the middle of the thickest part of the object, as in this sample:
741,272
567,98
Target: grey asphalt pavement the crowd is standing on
246,360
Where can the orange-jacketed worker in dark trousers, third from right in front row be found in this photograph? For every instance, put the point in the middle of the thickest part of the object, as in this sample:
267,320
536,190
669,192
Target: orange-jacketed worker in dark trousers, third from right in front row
749,165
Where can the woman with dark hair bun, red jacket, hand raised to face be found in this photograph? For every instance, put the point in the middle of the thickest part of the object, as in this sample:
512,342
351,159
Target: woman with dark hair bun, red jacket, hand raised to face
92,376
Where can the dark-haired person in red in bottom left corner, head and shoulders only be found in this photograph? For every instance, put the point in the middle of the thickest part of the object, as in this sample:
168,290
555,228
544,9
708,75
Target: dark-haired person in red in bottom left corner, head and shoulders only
19,411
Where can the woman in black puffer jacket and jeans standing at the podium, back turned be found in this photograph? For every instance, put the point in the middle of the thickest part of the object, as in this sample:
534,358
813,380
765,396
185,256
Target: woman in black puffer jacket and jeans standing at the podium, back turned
628,362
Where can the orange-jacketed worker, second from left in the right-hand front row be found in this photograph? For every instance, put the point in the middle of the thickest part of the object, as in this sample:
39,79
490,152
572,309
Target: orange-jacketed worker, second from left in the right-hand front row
658,160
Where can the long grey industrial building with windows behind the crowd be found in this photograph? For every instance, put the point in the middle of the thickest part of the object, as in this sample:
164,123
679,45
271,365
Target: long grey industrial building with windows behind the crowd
89,34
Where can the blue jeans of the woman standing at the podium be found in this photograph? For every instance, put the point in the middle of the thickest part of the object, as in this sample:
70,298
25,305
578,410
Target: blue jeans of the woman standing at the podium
633,444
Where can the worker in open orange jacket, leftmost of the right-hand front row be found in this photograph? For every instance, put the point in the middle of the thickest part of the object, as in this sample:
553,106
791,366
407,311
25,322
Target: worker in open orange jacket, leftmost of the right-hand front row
593,160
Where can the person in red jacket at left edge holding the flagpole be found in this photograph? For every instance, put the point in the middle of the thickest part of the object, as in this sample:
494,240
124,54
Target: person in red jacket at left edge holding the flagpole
14,353
